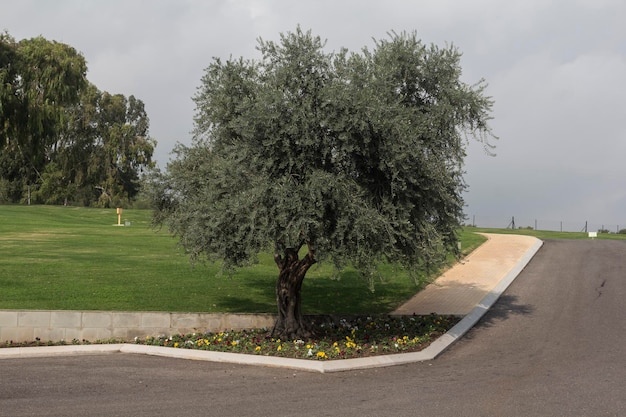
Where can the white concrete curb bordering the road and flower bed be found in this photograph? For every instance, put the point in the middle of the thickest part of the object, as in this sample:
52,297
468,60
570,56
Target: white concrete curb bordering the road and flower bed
431,352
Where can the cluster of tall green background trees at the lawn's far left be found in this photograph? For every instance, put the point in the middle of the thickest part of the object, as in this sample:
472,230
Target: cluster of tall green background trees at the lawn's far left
63,141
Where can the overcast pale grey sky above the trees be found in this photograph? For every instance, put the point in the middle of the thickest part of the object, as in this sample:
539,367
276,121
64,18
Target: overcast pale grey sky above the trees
556,70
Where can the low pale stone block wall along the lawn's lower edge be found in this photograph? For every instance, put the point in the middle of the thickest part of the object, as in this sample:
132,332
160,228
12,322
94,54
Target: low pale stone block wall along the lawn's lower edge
57,325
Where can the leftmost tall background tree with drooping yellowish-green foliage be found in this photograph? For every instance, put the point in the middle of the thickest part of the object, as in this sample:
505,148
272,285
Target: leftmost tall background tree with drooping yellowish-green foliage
41,79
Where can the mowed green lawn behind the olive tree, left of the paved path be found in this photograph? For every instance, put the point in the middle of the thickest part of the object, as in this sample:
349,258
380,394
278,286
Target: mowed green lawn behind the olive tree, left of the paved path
69,258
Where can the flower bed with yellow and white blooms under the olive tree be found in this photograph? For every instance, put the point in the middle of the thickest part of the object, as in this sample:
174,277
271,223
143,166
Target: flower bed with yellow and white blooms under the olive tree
339,338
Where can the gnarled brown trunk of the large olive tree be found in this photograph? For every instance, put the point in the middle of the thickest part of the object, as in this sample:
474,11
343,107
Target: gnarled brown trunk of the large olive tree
291,272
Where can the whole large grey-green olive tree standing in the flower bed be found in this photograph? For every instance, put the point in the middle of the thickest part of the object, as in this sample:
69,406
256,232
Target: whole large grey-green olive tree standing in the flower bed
349,158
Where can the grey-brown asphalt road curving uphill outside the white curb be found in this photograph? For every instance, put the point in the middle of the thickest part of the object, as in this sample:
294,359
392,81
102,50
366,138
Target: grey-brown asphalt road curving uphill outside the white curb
553,345
